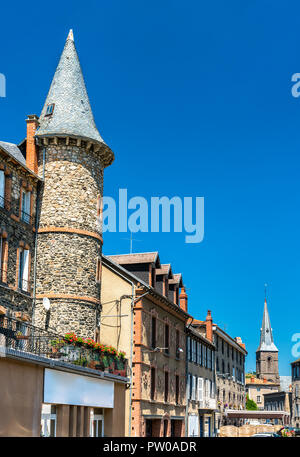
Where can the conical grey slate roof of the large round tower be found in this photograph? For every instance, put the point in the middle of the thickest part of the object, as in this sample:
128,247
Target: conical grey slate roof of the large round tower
72,114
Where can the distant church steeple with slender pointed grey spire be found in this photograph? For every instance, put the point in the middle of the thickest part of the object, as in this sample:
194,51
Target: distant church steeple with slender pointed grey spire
267,352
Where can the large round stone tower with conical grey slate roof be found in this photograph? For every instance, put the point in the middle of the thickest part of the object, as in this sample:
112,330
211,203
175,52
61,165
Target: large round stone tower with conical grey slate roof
71,159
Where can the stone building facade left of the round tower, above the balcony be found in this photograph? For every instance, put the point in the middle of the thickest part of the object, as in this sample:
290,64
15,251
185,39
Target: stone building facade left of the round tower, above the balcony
18,197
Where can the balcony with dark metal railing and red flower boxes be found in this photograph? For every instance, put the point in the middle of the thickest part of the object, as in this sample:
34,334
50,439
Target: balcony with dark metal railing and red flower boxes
23,337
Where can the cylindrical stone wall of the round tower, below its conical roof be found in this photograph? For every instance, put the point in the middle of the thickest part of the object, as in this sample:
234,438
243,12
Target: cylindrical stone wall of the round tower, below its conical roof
69,237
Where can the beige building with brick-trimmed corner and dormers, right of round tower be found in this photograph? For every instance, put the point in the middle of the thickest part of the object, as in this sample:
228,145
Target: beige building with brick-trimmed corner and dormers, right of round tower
138,285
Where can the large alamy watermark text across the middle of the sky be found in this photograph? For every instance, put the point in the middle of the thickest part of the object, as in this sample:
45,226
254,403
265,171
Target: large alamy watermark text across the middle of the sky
159,214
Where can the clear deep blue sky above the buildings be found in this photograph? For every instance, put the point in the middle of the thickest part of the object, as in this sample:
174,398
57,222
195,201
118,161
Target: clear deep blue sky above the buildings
195,99
